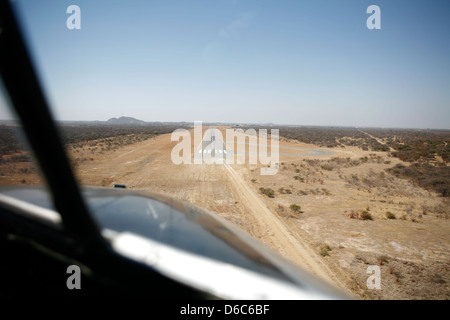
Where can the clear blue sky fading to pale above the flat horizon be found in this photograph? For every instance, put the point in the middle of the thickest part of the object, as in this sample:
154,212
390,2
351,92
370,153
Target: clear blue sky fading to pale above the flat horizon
299,62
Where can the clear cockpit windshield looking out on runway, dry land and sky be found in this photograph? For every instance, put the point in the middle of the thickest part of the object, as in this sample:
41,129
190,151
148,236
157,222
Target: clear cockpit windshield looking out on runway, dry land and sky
320,128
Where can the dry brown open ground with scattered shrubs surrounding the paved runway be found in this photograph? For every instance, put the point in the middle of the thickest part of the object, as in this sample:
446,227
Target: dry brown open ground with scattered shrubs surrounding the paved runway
325,234
